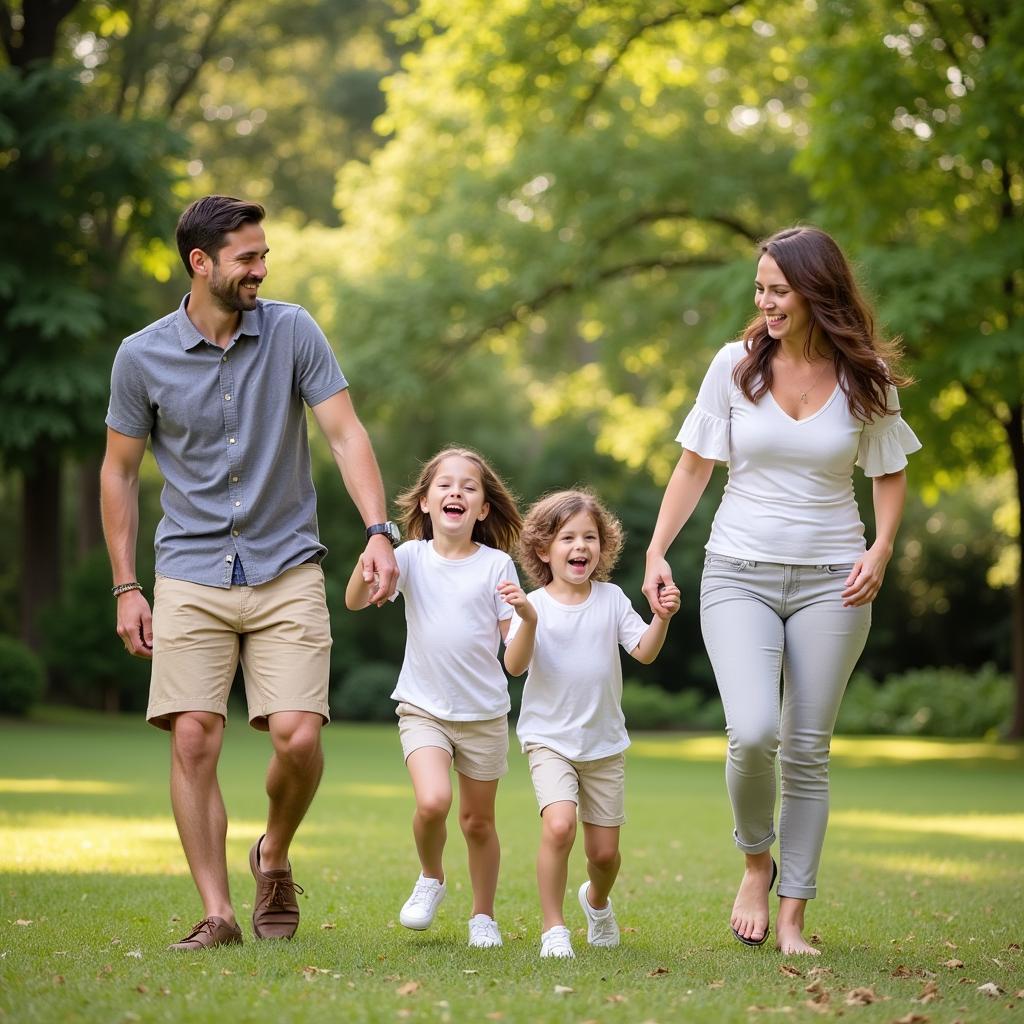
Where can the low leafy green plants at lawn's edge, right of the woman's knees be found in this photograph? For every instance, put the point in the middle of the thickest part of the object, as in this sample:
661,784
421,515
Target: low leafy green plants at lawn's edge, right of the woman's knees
929,703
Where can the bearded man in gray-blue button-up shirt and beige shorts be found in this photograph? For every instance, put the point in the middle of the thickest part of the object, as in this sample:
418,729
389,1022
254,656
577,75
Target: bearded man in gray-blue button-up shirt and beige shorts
221,387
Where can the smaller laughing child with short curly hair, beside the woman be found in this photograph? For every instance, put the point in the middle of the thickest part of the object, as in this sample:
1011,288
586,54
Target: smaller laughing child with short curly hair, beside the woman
572,726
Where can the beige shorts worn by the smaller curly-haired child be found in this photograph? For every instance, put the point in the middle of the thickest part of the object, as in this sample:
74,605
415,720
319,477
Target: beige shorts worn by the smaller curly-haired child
598,788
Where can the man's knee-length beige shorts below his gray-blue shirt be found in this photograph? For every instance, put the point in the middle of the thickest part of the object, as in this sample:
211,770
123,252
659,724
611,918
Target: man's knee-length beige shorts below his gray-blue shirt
281,631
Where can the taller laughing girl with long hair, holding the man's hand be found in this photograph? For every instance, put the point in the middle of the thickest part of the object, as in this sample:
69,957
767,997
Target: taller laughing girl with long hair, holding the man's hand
453,697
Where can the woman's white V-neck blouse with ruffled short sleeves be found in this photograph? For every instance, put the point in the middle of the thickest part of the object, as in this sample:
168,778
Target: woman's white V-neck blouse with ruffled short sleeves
790,494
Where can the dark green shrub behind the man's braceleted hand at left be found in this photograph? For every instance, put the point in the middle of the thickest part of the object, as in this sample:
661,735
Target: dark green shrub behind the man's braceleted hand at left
87,660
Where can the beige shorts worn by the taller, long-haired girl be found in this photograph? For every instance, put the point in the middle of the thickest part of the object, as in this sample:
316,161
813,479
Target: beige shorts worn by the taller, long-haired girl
479,750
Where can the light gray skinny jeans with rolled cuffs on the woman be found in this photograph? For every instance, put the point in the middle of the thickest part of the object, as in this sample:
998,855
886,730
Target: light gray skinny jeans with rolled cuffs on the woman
763,621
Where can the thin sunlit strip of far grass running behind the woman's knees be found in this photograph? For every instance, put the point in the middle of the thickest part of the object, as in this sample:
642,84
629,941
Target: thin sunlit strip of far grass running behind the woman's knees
850,750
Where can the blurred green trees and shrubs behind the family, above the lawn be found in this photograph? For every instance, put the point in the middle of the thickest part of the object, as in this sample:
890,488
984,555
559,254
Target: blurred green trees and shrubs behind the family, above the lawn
526,226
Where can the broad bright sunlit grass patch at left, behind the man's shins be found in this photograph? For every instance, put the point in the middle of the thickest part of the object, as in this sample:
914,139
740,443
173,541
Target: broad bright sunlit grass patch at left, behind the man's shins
97,844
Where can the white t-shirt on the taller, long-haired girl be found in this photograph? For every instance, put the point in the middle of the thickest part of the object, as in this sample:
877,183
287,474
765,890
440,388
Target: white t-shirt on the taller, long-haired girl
453,607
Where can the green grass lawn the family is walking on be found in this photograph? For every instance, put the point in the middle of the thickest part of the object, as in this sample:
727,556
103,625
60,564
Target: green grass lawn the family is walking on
922,892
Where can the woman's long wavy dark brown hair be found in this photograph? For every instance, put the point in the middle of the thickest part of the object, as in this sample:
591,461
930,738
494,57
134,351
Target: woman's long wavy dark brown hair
817,270
